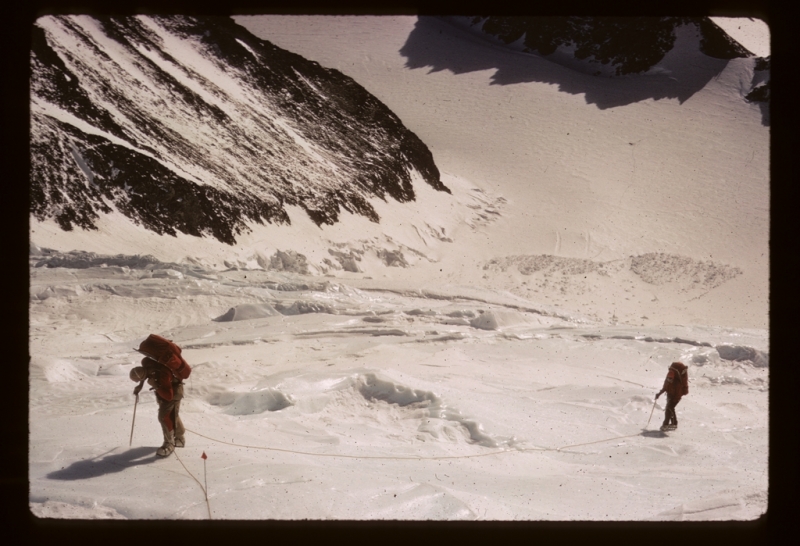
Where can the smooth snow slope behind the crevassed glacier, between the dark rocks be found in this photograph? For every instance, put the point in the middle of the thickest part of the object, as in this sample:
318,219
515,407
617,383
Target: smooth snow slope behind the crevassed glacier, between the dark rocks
568,189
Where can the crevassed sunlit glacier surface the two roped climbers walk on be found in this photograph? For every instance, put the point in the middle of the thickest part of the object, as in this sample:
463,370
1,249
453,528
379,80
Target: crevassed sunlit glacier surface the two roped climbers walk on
314,399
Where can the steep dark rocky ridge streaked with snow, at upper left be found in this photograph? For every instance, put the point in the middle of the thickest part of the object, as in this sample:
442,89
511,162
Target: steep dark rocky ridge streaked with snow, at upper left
193,125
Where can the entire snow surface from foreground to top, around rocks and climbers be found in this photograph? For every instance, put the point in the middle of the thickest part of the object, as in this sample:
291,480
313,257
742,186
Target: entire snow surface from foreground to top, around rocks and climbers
487,354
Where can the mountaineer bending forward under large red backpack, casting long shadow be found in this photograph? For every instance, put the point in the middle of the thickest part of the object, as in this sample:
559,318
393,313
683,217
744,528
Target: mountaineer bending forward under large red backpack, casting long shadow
164,369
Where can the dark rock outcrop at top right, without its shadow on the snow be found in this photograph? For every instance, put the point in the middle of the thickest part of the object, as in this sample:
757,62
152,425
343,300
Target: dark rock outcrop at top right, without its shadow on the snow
630,44
